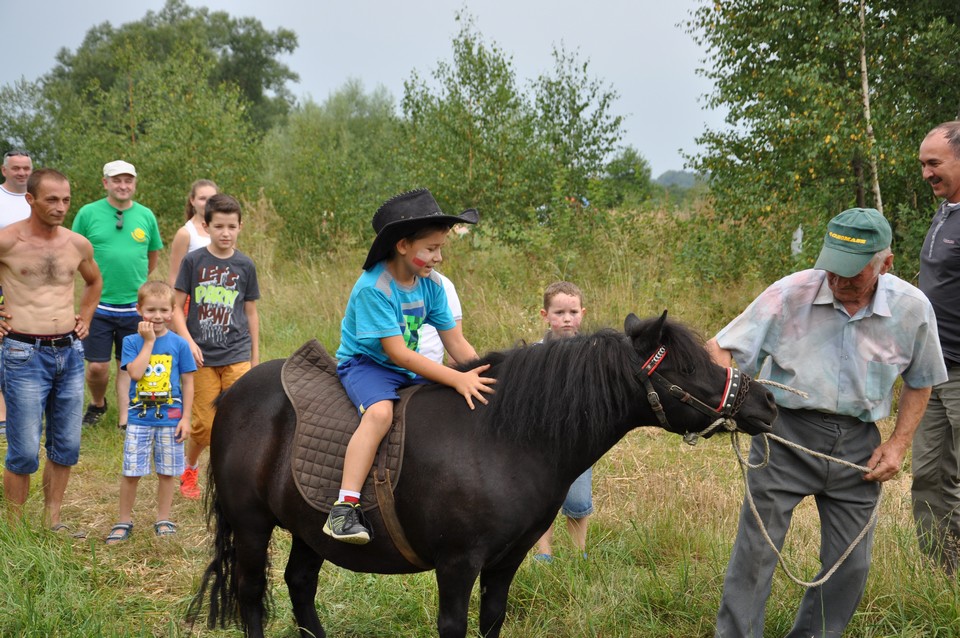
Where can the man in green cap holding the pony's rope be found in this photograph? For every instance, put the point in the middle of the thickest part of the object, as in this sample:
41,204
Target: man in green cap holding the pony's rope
841,332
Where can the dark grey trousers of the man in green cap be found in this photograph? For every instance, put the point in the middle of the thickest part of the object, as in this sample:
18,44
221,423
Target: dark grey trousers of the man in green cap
844,501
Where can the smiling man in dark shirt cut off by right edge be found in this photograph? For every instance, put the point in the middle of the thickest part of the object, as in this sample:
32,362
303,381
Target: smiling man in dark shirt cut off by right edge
936,445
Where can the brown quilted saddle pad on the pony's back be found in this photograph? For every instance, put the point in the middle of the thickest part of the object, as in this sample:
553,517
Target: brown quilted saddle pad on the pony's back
326,419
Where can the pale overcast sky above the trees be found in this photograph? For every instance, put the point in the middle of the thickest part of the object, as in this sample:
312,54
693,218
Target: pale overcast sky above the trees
637,46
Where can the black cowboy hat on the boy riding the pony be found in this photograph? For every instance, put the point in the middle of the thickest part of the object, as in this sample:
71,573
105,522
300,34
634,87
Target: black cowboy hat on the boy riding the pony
403,215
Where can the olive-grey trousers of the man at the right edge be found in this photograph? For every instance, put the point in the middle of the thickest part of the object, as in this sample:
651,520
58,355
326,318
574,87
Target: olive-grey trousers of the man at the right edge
936,474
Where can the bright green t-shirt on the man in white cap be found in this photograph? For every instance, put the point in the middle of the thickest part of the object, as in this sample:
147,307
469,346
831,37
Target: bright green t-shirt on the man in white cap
121,253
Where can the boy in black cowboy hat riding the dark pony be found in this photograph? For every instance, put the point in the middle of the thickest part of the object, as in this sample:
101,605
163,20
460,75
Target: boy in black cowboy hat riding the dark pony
380,333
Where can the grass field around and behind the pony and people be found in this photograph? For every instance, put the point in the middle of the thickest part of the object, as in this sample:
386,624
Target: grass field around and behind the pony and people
658,544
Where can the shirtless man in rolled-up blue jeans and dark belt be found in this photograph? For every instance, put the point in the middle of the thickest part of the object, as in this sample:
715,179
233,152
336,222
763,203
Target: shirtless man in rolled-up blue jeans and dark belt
41,349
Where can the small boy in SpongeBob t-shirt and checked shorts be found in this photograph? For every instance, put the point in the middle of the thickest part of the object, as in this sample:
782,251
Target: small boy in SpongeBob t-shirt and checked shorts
161,371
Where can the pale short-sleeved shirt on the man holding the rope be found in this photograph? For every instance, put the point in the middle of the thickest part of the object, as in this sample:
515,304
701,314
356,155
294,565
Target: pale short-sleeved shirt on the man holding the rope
847,365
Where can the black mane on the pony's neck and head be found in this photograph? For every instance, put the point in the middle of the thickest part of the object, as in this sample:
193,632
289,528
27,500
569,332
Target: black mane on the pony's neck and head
547,391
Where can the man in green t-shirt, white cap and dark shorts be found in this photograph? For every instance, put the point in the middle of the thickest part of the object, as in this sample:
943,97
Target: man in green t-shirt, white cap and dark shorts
126,242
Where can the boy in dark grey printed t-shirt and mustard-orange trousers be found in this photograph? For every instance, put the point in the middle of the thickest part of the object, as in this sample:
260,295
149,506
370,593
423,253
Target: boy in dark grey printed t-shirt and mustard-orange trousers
221,326
